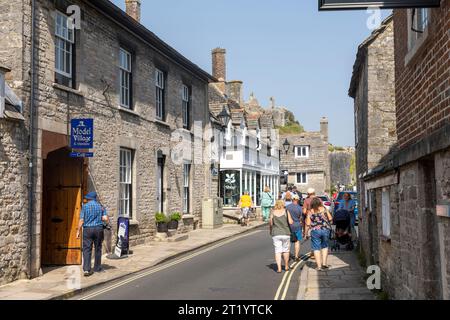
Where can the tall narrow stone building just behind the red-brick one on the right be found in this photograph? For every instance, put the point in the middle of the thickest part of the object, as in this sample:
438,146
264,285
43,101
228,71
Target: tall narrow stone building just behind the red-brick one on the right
373,90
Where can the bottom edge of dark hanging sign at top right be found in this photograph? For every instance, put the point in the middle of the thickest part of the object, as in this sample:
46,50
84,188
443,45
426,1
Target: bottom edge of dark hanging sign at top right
386,4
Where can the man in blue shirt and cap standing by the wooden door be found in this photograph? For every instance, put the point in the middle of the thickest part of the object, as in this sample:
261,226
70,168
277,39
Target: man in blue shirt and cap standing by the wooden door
91,220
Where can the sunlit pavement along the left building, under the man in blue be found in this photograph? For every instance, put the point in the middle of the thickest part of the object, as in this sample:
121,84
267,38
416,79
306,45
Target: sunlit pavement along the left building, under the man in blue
65,282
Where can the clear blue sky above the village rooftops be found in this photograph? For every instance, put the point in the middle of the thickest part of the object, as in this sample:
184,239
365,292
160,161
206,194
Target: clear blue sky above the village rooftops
286,49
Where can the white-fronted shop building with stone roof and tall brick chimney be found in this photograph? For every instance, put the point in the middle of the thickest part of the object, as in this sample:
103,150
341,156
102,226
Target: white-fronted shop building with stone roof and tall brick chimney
249,157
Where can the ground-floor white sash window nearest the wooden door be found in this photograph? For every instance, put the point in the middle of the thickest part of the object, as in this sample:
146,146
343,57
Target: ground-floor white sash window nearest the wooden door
126,183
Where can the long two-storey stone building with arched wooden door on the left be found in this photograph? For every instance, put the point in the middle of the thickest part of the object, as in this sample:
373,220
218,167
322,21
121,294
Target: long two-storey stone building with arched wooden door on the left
144,97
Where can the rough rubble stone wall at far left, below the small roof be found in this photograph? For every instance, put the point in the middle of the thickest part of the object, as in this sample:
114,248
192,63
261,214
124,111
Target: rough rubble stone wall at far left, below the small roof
13,201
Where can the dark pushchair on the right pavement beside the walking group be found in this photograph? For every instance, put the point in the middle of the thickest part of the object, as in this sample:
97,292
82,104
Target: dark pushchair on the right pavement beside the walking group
342,235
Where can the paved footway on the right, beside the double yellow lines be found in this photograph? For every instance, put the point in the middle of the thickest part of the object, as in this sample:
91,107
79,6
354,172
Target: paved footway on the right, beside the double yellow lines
343,281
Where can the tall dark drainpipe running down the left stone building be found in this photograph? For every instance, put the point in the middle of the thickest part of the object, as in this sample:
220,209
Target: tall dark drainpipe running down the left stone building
31,142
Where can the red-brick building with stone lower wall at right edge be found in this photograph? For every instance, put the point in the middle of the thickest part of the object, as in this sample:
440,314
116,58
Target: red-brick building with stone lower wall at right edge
407,220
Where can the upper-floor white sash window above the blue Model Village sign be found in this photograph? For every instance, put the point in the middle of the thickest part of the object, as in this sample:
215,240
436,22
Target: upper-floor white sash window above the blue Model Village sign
64,44
